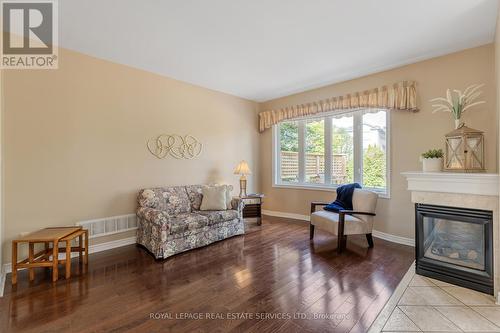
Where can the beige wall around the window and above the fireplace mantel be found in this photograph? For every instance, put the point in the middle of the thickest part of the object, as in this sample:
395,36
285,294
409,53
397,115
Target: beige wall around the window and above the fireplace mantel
411,133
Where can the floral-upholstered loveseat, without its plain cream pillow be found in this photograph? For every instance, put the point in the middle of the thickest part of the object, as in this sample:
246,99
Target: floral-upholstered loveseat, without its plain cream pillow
170,221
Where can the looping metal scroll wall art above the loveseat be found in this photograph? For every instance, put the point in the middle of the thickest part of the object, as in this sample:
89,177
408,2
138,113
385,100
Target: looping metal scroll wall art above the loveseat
177,146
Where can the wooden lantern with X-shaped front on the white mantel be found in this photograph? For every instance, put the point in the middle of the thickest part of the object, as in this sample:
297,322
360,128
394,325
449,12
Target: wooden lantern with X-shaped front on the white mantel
464,150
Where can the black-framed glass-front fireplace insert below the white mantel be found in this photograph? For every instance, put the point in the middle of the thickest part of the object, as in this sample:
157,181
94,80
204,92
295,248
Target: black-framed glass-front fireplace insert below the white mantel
455,245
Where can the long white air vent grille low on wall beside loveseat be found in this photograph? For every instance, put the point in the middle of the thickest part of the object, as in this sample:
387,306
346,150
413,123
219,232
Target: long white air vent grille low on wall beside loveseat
109,225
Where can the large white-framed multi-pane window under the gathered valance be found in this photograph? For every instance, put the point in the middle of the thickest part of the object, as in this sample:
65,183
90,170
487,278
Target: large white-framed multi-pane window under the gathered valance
334,149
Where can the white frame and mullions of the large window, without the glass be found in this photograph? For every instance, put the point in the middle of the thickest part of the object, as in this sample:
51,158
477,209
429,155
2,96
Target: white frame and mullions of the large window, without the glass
324,187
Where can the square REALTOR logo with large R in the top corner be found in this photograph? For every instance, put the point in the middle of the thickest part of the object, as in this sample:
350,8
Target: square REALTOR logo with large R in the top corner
29,39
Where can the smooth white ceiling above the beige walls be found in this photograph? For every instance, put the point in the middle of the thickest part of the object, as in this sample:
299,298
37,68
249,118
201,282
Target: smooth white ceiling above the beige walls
263,49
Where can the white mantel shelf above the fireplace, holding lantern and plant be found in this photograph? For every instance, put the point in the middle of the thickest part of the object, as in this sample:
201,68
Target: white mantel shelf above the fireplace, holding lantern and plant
447,182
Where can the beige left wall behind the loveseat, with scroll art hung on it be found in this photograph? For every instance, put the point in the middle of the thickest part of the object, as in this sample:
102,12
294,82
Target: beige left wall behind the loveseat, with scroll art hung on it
75,140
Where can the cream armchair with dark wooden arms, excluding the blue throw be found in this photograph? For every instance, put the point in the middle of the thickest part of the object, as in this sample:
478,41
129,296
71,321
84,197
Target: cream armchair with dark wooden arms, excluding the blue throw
357,221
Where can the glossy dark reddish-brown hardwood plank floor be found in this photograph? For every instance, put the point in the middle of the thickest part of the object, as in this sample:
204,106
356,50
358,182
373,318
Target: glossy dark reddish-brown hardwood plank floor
270,280
